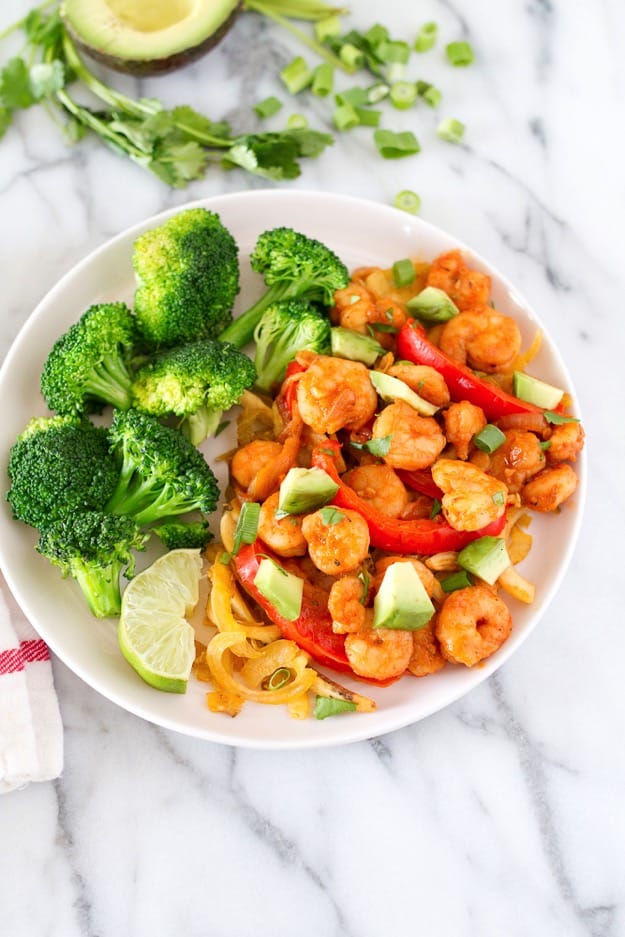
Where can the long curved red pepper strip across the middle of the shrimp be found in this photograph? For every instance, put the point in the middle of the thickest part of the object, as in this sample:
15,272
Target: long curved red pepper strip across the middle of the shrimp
421,536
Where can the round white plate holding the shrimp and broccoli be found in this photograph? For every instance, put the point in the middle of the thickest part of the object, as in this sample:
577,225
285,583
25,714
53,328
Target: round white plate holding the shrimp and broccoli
362,233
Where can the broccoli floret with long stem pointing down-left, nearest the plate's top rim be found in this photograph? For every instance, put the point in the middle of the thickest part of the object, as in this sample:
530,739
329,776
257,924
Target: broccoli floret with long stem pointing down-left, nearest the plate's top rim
293,266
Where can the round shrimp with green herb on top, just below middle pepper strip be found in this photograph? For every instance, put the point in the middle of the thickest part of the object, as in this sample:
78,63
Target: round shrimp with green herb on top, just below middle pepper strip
338,540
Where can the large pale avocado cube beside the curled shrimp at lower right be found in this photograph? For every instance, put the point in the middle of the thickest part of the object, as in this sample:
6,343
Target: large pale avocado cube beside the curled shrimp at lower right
401,601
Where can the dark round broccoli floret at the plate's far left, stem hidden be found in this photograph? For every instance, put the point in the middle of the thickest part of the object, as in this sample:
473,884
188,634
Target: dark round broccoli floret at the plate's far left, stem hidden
58,465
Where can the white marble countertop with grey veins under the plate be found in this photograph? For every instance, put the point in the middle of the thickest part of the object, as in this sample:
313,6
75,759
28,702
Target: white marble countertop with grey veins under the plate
503,813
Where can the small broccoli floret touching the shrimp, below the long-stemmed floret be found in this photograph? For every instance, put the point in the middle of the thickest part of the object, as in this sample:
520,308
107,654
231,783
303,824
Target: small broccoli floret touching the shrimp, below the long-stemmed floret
286,328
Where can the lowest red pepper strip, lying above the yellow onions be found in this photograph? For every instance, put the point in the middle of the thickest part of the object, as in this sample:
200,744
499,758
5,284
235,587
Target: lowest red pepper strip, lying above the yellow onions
312,630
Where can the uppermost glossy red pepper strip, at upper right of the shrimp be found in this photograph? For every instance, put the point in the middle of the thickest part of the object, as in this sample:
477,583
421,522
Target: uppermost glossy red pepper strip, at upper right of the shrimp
463,384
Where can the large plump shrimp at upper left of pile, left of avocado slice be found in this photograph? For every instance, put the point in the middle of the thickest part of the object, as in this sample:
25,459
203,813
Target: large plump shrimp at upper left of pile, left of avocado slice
334,394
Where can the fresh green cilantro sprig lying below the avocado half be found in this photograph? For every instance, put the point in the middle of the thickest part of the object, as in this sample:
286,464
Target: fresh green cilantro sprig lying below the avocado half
178,145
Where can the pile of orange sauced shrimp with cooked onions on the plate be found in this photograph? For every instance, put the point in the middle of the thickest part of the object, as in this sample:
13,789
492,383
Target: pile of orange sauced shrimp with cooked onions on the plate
334,399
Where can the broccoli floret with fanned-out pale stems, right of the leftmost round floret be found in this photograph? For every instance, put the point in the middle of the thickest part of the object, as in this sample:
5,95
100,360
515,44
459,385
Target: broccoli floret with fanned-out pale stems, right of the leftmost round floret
162,473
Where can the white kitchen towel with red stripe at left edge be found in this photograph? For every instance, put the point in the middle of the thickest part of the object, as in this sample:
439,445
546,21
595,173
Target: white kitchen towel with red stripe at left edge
31,732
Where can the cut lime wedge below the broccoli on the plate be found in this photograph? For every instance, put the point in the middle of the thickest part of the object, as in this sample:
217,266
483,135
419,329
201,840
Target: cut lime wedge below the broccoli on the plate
154,635
